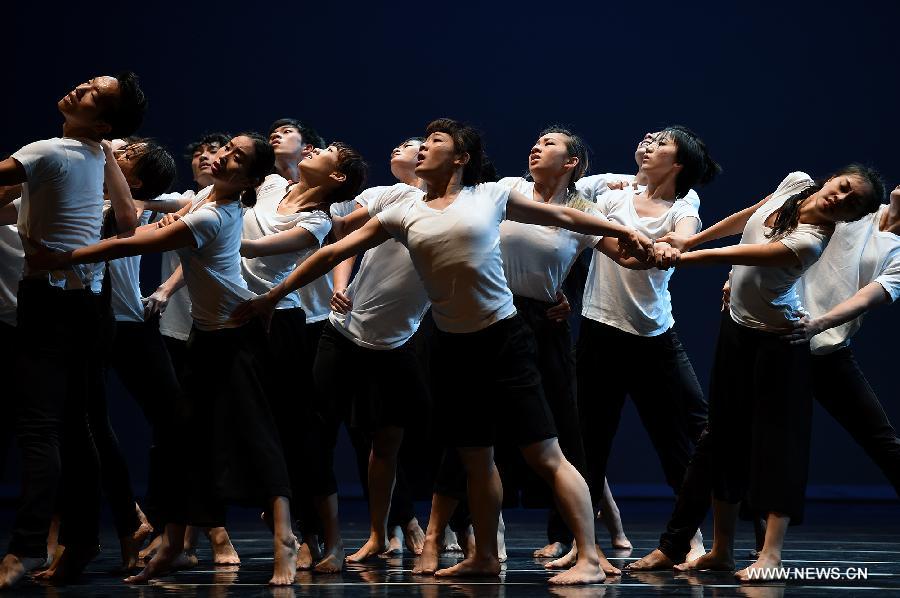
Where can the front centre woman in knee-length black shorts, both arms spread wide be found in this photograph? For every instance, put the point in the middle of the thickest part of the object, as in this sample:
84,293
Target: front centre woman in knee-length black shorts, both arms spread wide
453,238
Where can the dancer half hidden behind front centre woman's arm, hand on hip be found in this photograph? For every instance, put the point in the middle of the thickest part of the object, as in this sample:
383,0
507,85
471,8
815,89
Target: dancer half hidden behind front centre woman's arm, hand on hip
372,325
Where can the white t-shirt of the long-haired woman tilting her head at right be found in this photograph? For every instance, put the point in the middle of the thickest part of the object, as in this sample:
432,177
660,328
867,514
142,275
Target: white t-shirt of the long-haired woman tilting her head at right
768,298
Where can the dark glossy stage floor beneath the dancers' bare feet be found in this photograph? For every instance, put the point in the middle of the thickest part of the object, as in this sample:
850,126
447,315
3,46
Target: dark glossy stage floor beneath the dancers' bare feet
839,536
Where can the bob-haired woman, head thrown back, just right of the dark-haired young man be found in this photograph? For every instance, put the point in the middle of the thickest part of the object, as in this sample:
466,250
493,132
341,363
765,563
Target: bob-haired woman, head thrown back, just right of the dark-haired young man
282,230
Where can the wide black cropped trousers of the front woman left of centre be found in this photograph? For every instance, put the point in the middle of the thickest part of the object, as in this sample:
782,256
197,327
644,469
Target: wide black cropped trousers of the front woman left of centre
231,434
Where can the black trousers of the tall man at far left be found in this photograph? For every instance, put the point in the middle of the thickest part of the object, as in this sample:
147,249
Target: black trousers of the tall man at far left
59,362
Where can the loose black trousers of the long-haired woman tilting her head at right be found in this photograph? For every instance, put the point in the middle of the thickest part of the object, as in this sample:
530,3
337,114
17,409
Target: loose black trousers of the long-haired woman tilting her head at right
759,420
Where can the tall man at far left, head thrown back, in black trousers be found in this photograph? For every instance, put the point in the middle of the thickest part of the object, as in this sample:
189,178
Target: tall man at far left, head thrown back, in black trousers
58,315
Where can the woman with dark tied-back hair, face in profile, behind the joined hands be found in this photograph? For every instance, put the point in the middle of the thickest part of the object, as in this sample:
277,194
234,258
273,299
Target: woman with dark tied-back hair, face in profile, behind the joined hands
633,308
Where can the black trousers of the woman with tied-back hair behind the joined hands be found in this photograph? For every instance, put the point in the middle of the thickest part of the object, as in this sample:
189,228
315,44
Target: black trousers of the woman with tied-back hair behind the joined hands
656,373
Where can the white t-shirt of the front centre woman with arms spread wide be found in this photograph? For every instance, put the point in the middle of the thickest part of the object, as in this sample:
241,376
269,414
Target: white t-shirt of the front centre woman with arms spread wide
456,252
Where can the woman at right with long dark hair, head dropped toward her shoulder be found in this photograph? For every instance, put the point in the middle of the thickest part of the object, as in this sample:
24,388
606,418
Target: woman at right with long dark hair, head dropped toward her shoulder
760,400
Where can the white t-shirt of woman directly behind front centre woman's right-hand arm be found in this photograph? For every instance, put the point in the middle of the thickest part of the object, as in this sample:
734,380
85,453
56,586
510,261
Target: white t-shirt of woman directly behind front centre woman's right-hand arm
537,259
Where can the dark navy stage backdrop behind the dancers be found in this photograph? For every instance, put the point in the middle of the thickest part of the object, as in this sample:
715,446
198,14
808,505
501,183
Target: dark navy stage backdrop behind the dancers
771,88
